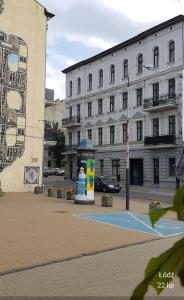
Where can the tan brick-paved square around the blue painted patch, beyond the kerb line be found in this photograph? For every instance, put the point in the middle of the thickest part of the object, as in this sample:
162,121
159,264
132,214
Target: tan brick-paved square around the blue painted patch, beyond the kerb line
36,229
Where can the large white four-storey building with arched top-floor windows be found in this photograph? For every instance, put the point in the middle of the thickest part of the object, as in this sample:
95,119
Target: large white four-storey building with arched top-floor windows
102,91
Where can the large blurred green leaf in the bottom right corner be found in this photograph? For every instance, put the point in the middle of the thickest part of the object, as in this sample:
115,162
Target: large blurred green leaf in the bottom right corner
170,261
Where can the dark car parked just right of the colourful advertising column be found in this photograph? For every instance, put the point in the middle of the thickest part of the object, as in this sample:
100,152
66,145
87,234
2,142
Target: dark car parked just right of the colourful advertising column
106,186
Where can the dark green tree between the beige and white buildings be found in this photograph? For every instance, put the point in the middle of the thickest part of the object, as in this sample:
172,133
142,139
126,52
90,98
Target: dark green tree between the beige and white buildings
59,148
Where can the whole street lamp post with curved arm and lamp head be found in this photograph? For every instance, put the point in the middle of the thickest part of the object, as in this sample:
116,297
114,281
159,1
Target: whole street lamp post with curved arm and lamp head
147,67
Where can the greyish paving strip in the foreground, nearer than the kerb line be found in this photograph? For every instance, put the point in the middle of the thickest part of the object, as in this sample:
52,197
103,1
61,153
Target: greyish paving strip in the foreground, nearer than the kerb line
114,273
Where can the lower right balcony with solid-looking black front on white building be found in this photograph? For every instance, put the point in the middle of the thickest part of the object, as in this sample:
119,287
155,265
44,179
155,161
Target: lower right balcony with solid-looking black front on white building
160,141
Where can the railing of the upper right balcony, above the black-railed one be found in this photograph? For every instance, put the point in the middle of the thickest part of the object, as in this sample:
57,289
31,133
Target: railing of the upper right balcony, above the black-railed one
163,100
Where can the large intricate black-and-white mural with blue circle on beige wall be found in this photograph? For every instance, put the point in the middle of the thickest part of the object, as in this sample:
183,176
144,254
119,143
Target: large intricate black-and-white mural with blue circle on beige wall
13,88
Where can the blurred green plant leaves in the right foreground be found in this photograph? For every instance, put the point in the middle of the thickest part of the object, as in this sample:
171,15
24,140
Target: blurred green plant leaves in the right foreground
172,260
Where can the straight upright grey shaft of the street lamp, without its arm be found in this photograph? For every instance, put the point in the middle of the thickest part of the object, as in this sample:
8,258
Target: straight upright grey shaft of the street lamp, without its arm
127,154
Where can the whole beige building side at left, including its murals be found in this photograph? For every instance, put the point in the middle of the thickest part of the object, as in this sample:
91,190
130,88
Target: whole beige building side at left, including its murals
22,67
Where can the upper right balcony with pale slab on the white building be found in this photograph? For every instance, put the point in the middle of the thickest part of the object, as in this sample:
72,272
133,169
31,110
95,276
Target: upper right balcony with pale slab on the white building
163,102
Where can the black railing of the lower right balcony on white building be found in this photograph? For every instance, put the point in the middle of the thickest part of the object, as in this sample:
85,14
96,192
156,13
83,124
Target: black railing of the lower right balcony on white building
160,139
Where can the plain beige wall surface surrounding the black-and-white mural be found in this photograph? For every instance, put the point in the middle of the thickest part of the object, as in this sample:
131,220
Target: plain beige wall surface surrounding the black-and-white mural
27,20
